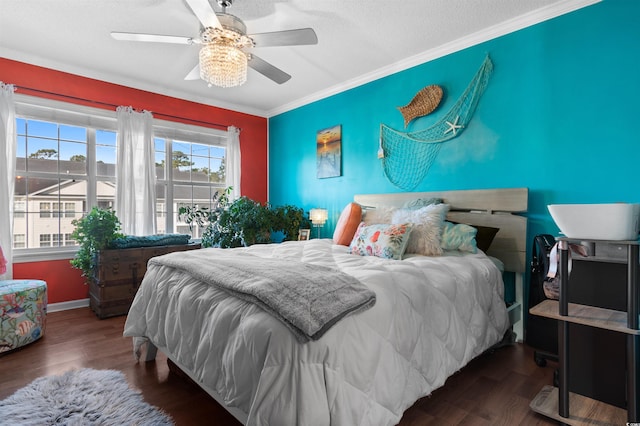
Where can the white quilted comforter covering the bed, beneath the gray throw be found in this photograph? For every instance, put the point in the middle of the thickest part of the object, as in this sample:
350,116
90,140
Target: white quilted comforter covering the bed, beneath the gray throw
432,316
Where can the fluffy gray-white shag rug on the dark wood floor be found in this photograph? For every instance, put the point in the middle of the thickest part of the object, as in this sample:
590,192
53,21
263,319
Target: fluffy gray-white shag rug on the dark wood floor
80,397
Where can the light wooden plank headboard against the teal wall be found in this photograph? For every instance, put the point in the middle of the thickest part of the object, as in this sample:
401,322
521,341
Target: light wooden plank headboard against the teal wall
485,207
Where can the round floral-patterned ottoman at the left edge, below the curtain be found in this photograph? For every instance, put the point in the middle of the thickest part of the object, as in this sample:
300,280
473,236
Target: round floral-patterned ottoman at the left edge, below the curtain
23,312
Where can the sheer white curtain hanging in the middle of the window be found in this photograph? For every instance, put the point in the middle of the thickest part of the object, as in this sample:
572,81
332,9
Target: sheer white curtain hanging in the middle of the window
136,175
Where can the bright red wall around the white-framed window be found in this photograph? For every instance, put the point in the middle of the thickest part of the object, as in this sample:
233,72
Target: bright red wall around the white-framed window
65,283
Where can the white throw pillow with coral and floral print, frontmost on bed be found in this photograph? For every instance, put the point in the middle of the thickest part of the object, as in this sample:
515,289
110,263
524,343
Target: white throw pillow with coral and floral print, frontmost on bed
381,240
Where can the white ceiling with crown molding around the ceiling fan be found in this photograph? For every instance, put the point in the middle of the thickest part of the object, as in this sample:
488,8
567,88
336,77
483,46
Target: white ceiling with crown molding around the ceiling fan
358,41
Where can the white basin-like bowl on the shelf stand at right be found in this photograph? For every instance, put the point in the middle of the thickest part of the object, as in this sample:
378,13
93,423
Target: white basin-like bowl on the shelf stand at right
615,221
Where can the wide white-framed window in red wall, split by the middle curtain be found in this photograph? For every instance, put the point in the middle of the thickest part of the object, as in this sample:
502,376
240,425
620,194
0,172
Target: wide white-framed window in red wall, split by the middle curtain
66,164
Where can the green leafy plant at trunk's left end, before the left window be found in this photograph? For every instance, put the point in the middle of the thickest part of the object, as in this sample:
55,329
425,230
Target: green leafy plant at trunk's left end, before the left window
94,232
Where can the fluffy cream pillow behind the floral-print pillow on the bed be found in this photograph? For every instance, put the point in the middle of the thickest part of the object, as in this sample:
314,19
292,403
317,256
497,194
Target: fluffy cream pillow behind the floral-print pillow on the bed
428,223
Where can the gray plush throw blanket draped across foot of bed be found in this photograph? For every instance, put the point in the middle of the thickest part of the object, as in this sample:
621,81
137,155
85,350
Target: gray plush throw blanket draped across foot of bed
307,298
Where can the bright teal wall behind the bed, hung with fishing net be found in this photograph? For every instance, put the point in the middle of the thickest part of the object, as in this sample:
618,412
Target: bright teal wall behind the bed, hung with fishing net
559,116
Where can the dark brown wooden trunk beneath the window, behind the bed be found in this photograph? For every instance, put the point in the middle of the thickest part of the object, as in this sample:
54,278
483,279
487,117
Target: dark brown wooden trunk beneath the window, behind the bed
119,274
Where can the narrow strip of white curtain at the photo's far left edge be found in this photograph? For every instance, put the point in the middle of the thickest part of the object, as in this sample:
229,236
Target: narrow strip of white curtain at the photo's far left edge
7,176
